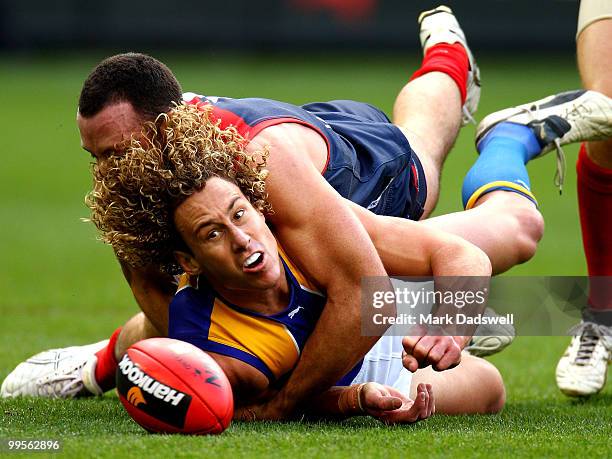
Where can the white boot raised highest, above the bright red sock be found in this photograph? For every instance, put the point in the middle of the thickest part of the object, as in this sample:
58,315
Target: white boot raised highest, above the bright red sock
440,26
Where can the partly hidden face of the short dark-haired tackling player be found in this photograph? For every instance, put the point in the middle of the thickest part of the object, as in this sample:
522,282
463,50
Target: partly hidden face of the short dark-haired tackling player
104,132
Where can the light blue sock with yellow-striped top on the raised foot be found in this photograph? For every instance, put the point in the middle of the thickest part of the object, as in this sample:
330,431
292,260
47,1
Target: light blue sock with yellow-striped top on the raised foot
504,152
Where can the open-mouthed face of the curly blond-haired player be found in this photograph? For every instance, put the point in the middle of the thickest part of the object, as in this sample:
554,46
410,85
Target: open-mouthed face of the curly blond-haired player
230,243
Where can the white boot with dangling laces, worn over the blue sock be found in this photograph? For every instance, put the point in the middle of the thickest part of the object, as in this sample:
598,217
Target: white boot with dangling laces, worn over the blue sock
560,119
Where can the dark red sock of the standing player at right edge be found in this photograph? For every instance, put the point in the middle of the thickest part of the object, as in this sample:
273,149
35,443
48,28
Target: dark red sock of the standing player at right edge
595,203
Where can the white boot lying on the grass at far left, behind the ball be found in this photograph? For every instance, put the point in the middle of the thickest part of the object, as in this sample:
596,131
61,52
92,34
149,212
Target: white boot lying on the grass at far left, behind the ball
56,373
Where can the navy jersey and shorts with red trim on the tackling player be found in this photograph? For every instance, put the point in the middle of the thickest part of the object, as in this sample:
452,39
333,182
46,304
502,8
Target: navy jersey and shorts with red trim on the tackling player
369,160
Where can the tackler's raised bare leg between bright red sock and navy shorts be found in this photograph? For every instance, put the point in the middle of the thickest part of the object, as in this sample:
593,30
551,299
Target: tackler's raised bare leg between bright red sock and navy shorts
428,111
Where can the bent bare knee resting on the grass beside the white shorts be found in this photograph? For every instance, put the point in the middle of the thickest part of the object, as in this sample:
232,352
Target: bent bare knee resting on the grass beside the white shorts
474,386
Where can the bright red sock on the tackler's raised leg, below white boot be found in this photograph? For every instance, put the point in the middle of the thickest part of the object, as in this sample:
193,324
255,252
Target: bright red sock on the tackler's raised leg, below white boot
449,59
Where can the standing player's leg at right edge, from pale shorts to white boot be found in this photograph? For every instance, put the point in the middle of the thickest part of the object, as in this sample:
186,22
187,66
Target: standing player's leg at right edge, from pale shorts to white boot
582,369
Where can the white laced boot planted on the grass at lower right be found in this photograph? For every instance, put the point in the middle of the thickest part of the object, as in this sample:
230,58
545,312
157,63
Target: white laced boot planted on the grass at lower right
583,368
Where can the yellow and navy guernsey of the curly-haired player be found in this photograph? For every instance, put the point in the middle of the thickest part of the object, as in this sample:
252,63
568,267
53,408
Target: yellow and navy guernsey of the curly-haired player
270,343
